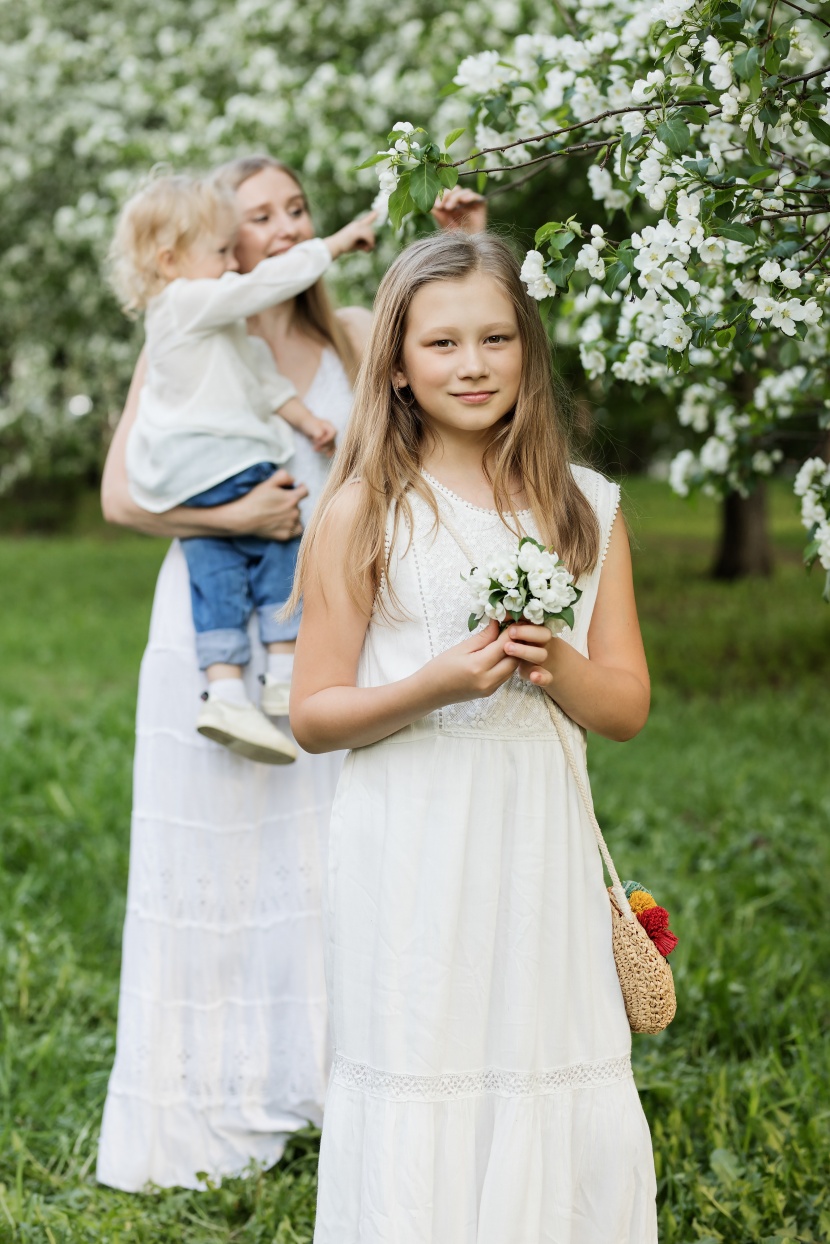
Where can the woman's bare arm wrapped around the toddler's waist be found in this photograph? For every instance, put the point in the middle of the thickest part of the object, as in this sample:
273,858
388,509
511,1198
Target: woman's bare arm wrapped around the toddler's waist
269,511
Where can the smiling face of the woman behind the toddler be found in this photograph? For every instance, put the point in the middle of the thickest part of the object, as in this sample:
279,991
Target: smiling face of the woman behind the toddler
274,217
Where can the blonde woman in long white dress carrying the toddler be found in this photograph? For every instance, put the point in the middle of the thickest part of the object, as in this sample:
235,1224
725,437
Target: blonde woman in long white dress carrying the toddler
222,1046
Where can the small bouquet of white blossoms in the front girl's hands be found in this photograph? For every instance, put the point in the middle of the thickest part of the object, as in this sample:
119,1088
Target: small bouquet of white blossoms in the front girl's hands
531,585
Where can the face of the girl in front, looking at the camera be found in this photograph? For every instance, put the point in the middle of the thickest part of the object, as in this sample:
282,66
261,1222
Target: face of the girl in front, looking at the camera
462,355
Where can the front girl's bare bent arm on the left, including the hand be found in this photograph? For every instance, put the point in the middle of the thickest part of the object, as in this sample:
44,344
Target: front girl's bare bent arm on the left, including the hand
329,711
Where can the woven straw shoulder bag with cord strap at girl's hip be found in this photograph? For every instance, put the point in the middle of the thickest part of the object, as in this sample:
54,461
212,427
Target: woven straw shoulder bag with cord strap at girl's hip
645,976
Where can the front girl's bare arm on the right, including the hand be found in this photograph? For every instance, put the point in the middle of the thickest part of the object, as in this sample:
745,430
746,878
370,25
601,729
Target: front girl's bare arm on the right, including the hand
608,694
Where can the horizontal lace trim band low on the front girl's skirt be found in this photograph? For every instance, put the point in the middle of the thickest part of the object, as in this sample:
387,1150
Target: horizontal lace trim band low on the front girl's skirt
396,1087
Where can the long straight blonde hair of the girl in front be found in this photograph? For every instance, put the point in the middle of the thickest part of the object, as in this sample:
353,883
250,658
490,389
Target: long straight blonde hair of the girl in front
385,440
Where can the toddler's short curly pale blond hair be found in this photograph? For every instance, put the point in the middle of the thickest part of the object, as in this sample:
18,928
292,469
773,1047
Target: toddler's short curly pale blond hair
167,213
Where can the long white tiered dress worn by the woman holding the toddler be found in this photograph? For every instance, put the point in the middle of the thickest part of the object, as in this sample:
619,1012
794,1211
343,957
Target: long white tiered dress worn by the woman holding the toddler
222,1044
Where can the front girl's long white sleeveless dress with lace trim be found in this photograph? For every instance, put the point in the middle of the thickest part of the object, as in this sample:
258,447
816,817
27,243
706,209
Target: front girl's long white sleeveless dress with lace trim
482,1088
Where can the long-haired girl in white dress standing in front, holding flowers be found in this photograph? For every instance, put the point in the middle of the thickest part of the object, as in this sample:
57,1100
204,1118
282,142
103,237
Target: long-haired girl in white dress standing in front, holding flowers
482,1088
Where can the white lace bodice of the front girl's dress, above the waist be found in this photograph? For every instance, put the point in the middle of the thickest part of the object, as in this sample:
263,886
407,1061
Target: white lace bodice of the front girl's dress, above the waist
426,573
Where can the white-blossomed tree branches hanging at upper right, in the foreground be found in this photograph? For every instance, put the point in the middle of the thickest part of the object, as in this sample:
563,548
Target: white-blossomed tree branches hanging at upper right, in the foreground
715,119
